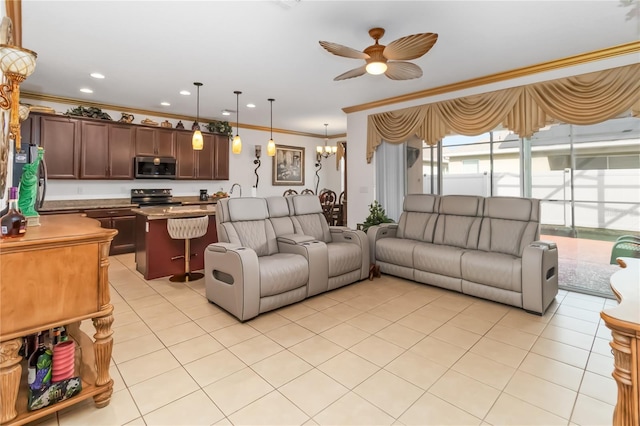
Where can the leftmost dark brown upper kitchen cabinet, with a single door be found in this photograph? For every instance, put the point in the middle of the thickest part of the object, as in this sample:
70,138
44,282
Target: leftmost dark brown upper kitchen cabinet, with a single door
60,138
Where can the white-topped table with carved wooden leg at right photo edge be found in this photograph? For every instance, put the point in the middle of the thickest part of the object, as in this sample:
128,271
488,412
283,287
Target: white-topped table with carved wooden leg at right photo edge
624,322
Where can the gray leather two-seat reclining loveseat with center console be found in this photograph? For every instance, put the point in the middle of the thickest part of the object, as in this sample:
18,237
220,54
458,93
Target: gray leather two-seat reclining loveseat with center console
277,251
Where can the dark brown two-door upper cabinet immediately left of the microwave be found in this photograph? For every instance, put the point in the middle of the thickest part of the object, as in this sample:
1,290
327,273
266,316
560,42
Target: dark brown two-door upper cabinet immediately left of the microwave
107,151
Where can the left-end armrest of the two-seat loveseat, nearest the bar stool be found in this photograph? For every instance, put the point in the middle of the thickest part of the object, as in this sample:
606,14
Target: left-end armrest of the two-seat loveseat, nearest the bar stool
232,279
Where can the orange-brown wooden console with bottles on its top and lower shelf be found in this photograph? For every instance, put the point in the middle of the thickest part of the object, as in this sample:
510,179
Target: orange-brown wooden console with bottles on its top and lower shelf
56,275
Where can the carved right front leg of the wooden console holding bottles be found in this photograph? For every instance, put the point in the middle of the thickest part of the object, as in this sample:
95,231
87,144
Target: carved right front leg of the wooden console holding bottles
102,349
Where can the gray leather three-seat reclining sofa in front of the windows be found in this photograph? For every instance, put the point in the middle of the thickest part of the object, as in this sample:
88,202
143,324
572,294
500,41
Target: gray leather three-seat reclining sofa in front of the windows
485,247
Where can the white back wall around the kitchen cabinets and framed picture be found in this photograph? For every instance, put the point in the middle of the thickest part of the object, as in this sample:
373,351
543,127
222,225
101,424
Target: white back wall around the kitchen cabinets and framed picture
241,168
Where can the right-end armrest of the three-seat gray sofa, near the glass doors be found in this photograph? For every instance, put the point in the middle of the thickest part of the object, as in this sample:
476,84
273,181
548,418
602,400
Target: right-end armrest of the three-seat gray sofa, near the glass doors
539,276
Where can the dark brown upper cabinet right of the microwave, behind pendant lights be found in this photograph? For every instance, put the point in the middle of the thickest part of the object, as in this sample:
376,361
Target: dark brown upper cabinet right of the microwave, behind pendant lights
211,163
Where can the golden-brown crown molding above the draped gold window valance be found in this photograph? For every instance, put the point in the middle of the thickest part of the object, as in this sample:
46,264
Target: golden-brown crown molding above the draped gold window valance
596,55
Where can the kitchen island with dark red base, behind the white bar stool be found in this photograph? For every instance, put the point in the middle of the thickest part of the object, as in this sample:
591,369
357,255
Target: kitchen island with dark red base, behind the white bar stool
157,254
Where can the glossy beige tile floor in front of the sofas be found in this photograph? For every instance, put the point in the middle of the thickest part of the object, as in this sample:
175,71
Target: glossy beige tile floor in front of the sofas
382,352
